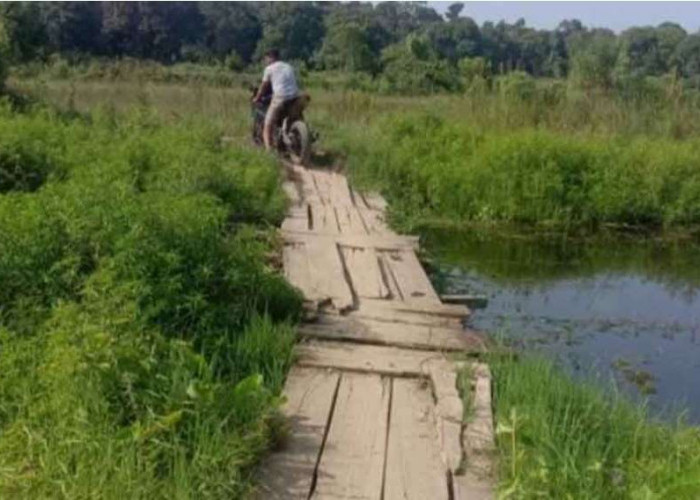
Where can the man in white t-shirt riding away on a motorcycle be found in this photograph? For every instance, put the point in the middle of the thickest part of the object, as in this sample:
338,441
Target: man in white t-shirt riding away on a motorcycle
280,76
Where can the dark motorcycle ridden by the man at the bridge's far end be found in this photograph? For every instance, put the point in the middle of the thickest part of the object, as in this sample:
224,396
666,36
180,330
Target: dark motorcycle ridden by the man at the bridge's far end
291,135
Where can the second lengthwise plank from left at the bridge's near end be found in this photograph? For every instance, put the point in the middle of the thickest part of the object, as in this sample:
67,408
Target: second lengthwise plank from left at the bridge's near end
352,463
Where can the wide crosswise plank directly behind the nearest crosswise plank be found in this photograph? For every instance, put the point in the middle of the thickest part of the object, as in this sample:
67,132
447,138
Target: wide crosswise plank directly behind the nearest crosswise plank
406,335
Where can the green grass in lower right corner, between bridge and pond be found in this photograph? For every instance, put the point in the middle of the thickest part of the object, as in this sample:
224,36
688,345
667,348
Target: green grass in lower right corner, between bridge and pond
563,438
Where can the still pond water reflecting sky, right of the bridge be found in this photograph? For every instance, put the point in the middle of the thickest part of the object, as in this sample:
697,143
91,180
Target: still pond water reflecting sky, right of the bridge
625,310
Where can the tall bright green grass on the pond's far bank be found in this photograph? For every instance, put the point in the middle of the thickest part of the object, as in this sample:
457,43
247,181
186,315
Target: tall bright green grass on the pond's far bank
432,167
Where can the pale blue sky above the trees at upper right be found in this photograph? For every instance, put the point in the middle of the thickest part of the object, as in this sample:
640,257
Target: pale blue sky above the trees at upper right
614,15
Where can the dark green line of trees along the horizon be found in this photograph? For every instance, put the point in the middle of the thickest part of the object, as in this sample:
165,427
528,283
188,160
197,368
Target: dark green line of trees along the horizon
397,40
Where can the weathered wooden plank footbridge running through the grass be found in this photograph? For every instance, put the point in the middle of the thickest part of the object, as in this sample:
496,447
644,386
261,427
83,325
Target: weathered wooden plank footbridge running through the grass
373,399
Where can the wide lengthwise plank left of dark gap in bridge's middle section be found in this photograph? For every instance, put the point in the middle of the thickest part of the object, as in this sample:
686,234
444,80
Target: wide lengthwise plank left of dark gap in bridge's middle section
328,274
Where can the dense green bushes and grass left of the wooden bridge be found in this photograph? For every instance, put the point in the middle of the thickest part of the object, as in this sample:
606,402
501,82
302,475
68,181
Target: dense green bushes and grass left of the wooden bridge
144,334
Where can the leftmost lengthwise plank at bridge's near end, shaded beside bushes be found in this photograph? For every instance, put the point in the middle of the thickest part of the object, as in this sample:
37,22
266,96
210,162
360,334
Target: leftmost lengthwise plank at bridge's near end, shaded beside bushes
289,473
